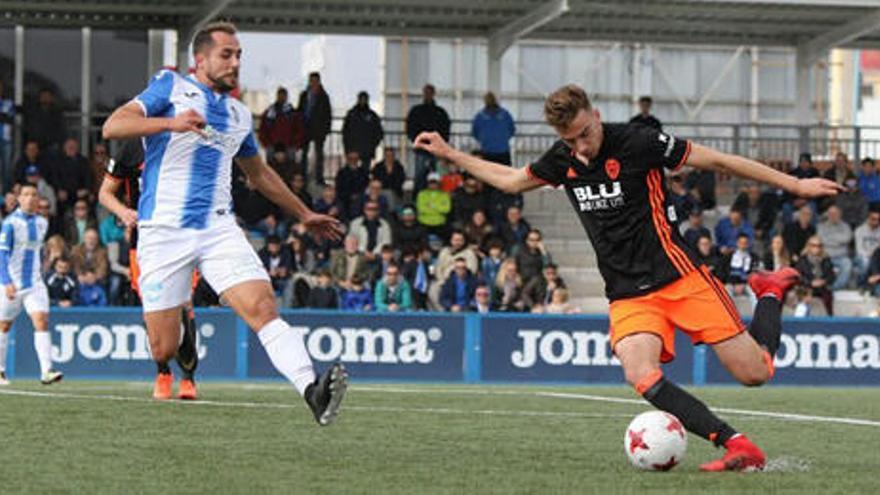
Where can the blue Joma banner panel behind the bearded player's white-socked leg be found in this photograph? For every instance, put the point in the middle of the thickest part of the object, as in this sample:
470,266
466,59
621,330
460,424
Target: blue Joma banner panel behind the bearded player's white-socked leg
415,346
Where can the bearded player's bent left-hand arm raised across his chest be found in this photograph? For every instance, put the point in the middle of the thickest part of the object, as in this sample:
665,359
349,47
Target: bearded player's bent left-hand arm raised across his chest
129,121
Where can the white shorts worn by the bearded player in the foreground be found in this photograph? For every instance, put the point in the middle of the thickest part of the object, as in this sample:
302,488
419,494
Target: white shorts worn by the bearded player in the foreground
168,255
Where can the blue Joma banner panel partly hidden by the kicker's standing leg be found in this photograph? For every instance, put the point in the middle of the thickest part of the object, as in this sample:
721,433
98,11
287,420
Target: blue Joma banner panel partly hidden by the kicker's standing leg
573,349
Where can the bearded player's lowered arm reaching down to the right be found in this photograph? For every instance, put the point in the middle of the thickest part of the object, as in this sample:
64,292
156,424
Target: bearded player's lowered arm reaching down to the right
272,186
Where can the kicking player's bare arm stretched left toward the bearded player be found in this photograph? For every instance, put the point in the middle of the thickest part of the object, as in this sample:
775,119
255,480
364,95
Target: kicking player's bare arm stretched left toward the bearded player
508,179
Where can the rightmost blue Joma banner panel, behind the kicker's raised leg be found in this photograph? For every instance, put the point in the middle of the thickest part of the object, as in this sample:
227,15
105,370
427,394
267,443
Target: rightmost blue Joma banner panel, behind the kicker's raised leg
819,351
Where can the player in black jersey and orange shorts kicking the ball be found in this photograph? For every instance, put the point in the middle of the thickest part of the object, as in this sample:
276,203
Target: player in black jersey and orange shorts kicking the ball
613,175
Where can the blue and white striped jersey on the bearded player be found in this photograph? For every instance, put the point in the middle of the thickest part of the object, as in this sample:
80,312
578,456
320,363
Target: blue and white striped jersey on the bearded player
187,178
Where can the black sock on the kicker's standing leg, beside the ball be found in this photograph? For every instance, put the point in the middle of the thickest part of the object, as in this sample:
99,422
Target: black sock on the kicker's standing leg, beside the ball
693,414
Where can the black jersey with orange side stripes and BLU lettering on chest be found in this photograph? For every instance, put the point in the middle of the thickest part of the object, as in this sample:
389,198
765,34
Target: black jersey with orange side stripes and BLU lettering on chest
621,199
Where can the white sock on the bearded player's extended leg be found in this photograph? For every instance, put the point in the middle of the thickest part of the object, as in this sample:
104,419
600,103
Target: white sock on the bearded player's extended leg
287,351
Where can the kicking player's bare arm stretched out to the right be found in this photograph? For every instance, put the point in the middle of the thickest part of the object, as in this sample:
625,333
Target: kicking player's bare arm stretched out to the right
706,158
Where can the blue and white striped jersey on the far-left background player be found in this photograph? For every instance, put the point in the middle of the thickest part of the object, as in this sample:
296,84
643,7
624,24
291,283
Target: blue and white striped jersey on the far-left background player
21,237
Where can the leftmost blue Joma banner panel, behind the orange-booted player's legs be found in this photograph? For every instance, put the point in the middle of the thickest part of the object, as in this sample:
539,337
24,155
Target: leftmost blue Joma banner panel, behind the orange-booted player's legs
113,343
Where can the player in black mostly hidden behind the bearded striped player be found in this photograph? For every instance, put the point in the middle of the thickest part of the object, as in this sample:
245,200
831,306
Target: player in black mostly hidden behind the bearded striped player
122,178
